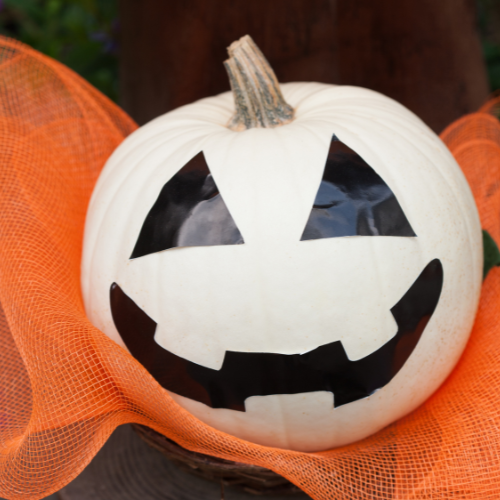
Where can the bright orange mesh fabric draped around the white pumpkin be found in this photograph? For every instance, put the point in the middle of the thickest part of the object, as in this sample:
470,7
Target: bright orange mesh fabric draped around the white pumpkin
64,386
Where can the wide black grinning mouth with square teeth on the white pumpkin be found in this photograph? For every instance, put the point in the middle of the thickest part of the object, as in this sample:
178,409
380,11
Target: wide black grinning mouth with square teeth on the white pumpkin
326,368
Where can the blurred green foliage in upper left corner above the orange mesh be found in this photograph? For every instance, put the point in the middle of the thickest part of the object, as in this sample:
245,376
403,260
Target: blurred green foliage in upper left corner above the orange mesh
79,33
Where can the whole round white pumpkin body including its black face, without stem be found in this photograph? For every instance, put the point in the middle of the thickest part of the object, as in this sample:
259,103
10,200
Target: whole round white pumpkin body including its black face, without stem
300,287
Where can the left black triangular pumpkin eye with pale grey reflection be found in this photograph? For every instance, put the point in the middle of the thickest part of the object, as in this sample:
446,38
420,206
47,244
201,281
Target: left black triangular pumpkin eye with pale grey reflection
189,212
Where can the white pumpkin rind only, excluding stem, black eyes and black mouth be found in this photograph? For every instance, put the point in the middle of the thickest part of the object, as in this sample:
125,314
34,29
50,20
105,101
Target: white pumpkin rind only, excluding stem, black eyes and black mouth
276,292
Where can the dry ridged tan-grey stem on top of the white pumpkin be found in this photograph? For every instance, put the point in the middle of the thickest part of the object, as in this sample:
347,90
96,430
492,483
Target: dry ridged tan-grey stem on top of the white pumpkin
257,94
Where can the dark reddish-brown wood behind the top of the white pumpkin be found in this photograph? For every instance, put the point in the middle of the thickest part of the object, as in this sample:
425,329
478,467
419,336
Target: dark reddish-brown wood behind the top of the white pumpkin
425,54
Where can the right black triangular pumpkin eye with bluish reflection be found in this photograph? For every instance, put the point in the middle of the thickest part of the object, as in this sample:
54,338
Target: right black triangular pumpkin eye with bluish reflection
353,200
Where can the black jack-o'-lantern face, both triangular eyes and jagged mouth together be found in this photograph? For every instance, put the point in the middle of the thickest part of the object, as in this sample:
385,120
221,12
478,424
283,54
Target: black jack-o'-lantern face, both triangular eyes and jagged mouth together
352,200
